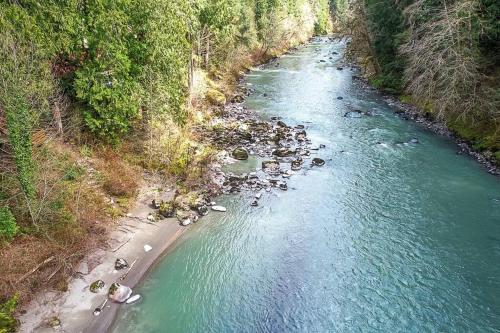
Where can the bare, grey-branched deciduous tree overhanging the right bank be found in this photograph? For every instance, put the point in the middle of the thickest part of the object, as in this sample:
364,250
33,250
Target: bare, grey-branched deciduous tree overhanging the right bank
442,55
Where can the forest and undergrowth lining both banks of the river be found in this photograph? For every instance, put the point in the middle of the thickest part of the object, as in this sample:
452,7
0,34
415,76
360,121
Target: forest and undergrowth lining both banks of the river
93,93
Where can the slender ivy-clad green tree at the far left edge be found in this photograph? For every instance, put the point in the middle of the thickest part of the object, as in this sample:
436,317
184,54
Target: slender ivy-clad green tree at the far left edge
24,89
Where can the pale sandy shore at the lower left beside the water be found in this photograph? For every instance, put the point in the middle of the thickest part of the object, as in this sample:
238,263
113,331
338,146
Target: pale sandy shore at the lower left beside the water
74,308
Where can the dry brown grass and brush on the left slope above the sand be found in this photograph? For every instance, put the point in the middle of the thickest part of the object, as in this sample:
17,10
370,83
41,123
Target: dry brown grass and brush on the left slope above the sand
68,219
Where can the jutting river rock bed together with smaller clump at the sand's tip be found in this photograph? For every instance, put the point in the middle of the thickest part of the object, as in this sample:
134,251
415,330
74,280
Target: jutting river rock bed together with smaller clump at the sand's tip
239,134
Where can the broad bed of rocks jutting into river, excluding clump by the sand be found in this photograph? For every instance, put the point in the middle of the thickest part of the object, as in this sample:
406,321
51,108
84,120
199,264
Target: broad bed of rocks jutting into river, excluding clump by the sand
281,150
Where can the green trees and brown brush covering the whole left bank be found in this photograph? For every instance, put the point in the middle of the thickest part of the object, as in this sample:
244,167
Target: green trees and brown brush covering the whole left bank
95,93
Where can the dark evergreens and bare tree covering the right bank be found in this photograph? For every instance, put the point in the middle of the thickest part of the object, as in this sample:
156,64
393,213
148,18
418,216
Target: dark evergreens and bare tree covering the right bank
442,56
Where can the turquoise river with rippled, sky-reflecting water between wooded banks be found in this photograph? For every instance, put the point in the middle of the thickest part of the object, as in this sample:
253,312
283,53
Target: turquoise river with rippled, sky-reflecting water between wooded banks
388,236
